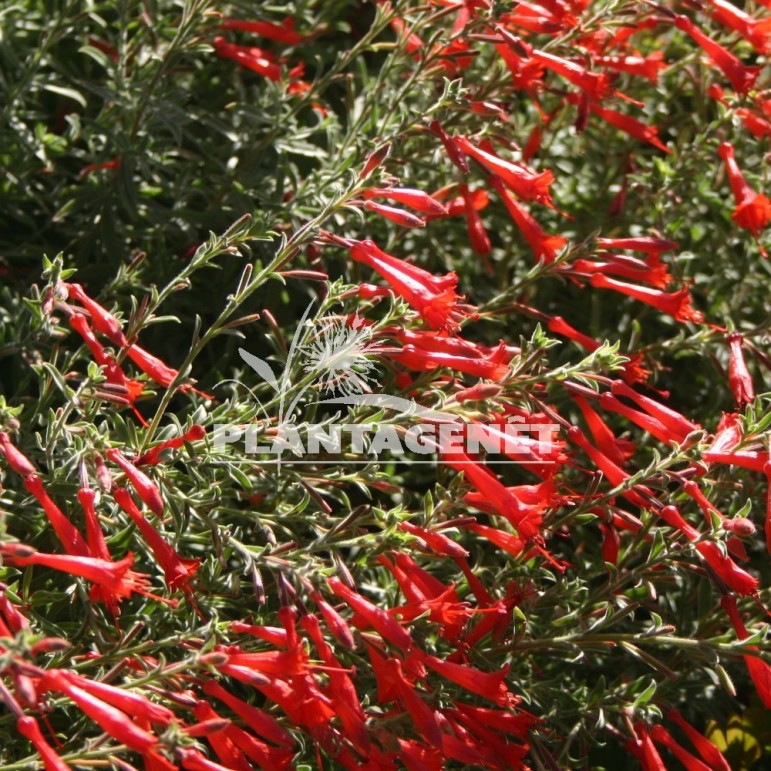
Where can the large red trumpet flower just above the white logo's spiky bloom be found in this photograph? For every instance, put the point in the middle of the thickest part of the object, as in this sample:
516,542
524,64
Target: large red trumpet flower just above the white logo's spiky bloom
434,297
